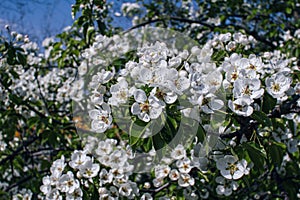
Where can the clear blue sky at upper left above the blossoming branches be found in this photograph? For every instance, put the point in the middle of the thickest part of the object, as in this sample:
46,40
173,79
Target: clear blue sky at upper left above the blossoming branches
44,18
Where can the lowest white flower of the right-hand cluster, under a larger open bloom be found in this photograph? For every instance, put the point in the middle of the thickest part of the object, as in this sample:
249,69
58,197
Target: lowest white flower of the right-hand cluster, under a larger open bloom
241,106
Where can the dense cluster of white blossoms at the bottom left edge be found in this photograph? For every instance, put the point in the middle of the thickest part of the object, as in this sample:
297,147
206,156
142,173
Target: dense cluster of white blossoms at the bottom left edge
84,170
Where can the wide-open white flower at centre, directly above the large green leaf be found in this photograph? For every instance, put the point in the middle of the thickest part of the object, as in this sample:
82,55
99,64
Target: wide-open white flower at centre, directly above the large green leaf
146,108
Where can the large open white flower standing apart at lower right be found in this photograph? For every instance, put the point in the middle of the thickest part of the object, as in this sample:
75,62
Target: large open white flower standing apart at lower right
231,168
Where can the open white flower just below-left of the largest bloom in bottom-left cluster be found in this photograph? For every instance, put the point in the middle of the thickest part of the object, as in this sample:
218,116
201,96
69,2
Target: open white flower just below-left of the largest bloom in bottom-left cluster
67,183
